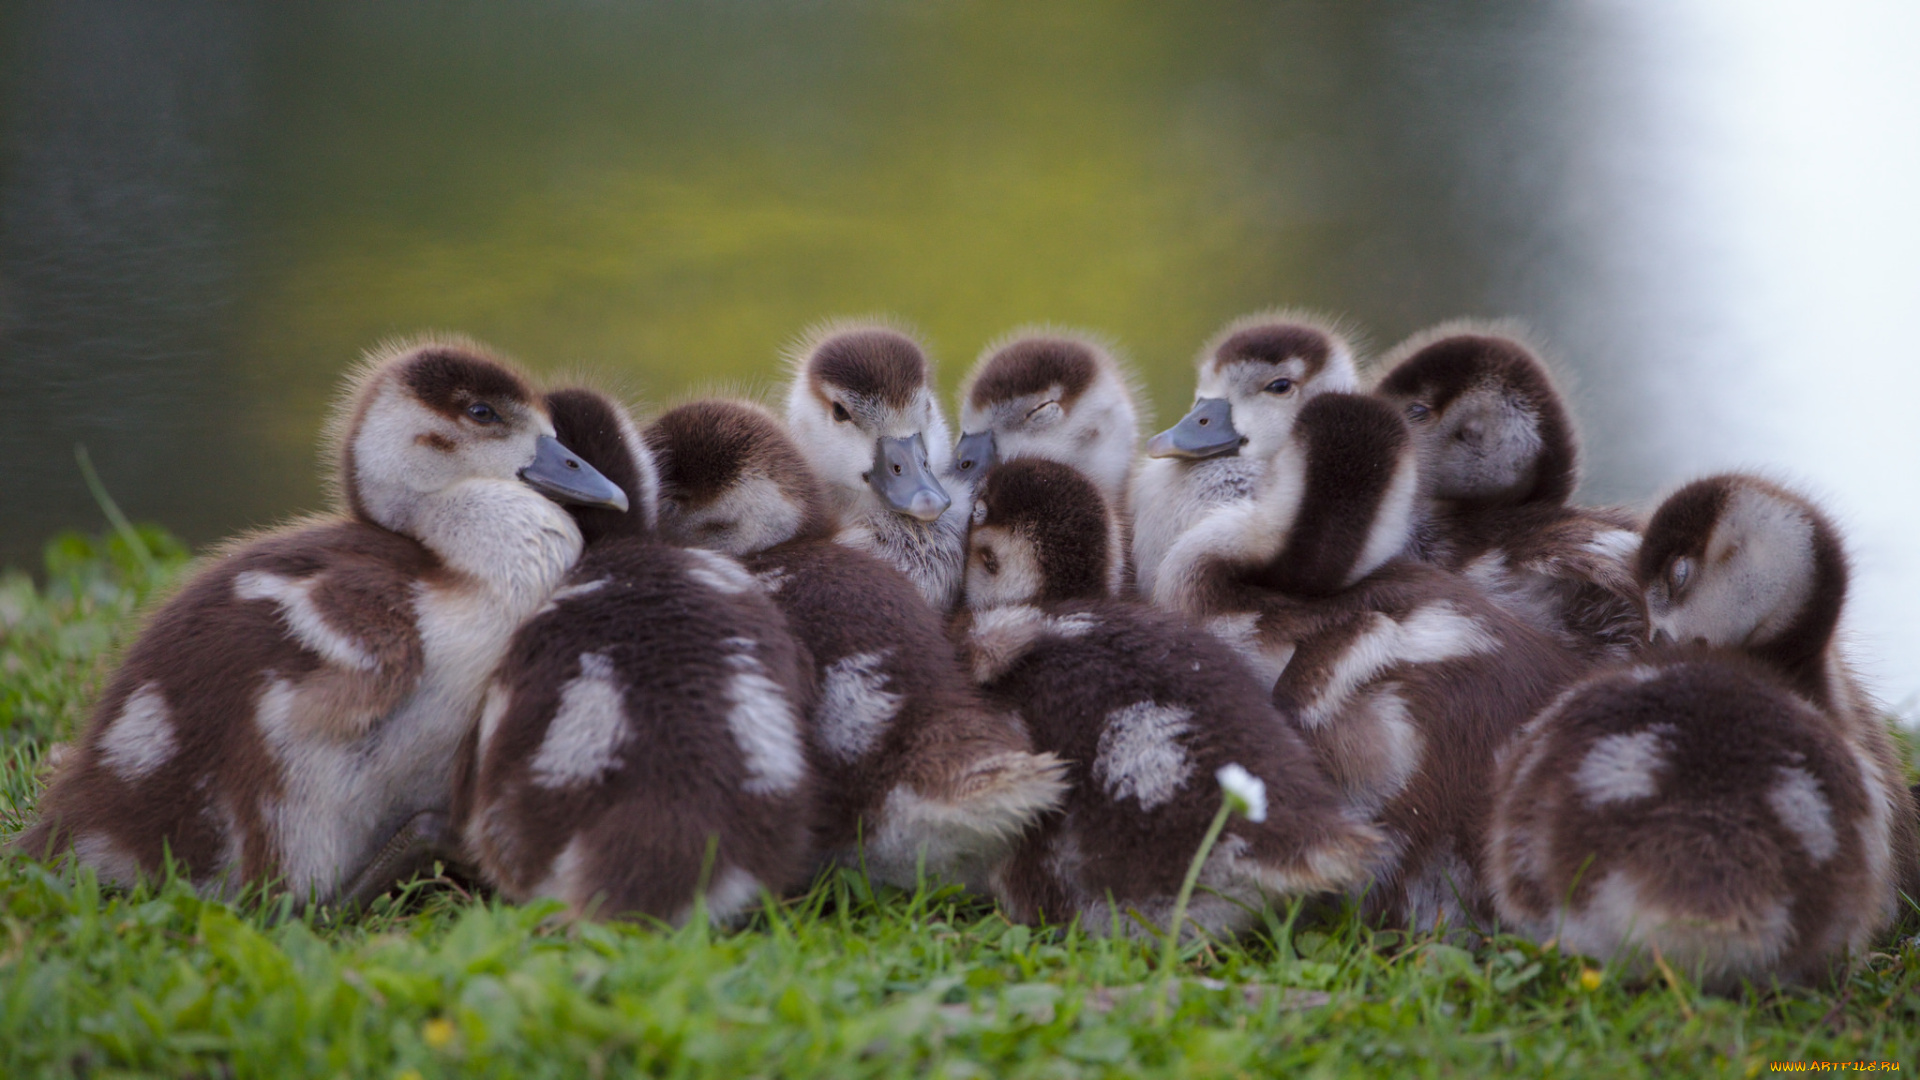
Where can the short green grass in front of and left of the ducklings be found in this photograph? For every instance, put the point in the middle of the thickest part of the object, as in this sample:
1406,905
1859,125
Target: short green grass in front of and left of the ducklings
836,983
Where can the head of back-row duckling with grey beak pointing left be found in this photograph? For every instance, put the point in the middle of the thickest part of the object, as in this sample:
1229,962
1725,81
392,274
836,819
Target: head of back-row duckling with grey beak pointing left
1255,380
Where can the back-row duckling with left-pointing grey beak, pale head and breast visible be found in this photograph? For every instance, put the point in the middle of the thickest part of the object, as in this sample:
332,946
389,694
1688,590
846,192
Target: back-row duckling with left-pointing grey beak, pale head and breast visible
1255,378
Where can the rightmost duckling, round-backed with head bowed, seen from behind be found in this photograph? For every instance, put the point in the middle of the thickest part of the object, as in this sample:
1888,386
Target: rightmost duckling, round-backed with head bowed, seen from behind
1729,804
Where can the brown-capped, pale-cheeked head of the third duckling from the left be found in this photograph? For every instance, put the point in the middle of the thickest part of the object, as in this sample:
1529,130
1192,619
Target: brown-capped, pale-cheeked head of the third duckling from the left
732,481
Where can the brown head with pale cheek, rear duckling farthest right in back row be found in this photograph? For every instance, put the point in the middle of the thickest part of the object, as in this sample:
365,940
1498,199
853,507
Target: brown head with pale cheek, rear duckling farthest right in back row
1485,414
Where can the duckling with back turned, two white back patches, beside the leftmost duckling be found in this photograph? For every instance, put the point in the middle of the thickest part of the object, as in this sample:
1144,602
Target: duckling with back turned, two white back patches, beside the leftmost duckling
644,735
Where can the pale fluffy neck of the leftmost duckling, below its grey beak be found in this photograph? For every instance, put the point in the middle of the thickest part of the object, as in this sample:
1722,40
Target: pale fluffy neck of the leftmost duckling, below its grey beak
500,533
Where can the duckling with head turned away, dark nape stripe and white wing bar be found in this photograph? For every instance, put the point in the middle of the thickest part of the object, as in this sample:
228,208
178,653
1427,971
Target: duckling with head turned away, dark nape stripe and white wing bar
1403,677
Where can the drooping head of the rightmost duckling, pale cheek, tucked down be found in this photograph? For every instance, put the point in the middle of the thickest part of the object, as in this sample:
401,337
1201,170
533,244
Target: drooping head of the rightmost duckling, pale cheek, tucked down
1742,564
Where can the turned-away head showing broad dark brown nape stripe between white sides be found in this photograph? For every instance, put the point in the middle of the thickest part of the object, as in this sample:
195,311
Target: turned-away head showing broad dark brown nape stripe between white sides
1351,476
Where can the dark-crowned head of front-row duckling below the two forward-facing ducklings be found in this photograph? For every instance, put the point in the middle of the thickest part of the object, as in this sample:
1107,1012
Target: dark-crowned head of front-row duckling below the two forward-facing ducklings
1042,535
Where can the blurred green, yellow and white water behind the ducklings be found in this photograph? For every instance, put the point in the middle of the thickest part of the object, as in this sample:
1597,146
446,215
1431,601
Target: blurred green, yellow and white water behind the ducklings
1704,209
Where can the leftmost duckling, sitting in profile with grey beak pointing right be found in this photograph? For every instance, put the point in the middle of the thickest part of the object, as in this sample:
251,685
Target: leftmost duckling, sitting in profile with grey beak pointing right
293,714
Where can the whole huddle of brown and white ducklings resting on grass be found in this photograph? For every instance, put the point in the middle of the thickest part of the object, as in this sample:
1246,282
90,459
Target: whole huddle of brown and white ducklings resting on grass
673,668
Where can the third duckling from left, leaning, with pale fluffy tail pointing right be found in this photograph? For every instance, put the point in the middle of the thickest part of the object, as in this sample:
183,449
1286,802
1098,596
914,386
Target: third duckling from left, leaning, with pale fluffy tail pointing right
915,768
